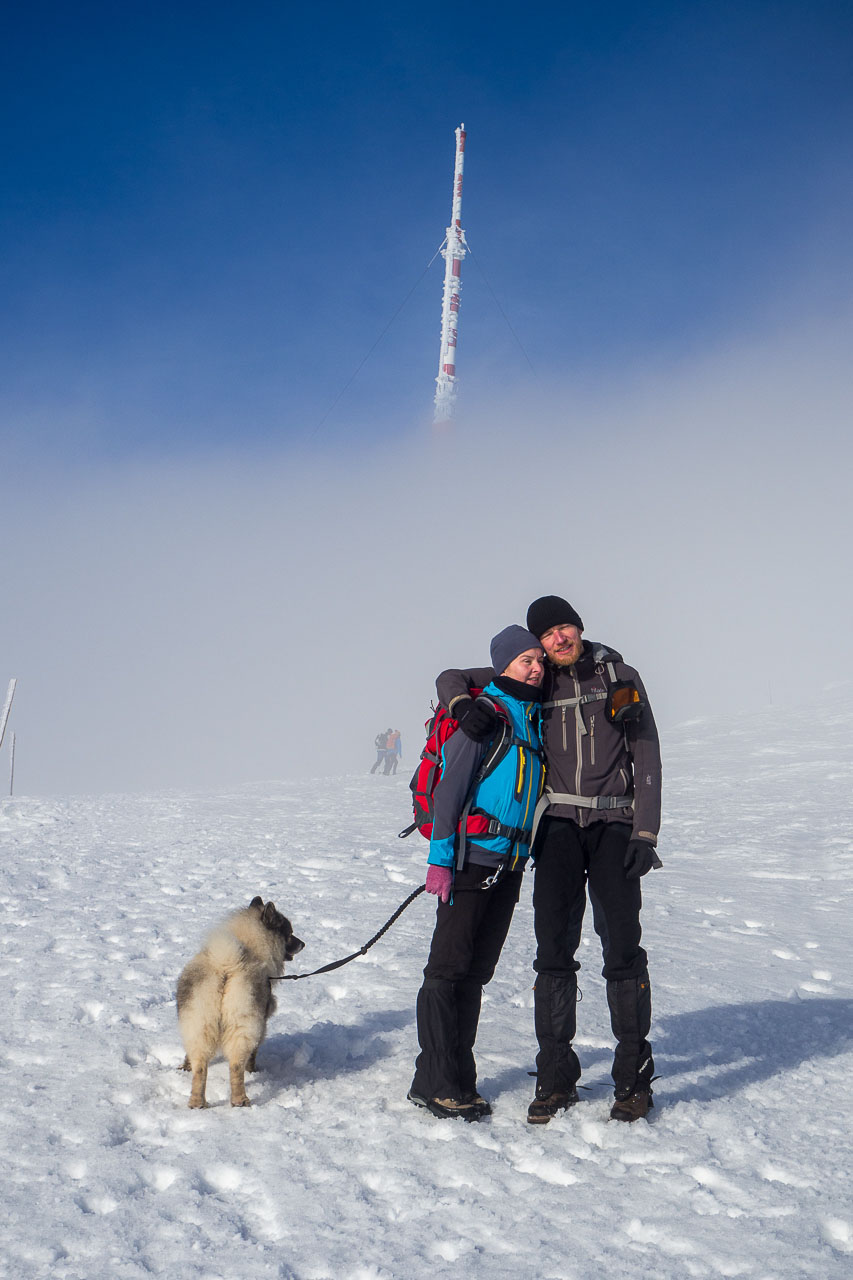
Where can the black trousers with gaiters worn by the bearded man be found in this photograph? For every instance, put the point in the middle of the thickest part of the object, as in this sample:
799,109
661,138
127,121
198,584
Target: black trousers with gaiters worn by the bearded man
569,862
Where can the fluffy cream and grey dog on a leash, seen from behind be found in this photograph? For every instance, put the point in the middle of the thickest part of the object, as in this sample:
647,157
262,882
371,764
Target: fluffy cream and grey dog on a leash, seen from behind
226,998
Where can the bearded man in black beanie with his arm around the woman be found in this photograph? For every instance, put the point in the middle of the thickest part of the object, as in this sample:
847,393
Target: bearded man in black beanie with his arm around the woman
600,819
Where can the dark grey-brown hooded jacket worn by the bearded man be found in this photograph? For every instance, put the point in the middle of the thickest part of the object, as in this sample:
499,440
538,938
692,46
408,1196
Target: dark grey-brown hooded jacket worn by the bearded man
586,756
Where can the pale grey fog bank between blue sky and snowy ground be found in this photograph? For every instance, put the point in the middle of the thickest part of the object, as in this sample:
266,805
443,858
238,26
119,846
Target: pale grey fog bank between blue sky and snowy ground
244,619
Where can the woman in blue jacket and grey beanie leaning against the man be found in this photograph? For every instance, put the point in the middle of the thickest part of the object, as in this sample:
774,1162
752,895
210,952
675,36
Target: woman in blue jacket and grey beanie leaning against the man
477,899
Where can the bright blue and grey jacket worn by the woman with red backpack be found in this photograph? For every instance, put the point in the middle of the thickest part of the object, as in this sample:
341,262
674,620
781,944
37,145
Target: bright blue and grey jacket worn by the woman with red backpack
508,794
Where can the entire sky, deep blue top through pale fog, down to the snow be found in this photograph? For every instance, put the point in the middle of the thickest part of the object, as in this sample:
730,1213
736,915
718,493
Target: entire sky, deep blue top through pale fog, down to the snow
209,213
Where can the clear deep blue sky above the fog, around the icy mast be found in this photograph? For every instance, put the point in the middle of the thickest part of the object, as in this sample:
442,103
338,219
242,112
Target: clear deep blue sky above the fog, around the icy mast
209,212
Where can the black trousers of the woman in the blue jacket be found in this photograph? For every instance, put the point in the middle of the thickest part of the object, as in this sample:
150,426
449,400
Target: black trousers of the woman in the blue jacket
467,944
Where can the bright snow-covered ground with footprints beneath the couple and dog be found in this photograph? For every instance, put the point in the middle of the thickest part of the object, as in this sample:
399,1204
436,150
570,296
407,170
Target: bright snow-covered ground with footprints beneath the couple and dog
745,1169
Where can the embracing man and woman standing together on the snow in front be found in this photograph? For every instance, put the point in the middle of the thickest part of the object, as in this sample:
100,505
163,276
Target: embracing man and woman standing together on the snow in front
559,761
